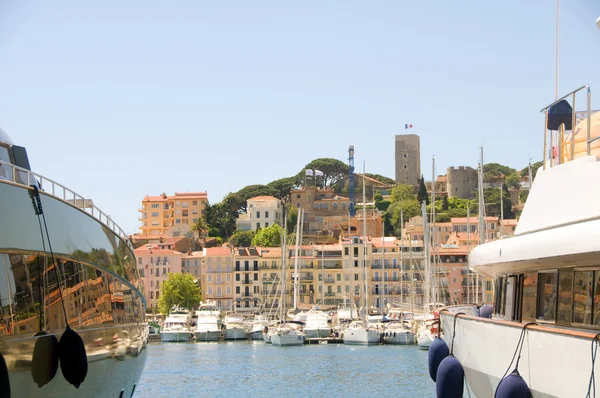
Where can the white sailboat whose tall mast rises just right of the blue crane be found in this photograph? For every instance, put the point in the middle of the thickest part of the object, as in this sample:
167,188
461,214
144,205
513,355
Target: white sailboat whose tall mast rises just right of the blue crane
361,332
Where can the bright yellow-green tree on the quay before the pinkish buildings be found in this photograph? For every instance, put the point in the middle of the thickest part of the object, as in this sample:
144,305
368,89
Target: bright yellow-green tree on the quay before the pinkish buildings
179,289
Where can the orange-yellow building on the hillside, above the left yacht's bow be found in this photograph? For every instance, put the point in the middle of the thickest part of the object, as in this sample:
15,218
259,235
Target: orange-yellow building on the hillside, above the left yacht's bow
160,213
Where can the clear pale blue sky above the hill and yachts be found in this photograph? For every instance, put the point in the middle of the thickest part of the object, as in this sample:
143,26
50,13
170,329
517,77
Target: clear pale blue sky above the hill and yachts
119,99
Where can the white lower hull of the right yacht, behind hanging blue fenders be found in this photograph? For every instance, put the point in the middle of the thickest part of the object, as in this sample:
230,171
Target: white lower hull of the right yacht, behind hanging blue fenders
553,363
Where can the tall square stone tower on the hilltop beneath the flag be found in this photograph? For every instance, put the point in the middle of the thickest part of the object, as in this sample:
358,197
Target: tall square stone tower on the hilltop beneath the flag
408,159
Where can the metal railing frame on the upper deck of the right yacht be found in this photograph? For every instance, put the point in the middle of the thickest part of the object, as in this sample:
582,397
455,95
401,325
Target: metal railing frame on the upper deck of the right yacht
560,138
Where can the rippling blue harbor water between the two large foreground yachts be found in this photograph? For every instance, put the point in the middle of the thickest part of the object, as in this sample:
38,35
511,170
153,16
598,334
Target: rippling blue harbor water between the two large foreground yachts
249,368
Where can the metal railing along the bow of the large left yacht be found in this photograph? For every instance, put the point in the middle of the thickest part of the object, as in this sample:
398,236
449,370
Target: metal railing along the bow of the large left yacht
26,178
